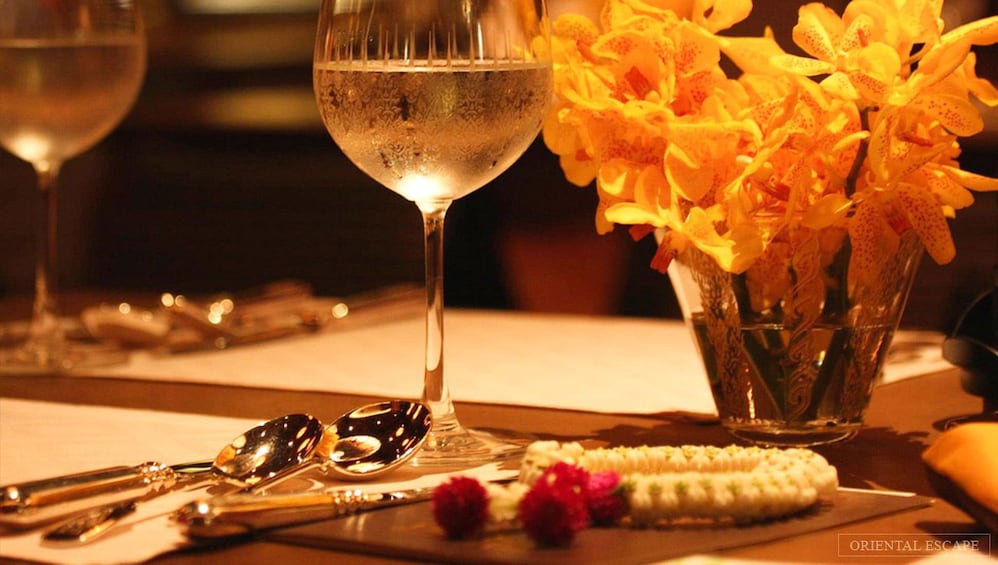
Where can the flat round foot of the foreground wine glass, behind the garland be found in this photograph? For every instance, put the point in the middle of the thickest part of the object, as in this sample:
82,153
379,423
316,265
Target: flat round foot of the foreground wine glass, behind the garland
462,447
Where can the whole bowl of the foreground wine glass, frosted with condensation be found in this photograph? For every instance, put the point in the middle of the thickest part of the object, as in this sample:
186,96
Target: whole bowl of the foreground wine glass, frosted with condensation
430,113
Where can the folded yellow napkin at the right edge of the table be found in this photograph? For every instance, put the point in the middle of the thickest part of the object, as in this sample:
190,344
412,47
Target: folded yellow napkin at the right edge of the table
967,455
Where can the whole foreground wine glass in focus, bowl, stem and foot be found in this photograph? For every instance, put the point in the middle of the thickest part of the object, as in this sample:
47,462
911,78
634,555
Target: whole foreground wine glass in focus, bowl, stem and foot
434,99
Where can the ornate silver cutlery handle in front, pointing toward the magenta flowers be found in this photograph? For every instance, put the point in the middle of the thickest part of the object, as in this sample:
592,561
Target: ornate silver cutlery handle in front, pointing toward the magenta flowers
240,514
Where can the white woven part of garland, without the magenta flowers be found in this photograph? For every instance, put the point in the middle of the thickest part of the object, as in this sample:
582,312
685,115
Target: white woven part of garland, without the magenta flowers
667,483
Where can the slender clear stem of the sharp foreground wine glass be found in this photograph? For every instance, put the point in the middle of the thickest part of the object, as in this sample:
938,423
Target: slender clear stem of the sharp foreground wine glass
436,394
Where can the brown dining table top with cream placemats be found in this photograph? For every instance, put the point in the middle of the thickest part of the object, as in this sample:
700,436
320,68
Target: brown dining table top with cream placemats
597,380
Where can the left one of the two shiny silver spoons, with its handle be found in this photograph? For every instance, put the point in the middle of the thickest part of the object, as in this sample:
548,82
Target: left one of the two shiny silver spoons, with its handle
259,453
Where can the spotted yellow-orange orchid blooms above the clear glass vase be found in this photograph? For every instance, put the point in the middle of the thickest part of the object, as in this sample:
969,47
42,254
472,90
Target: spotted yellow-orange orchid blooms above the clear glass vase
858,138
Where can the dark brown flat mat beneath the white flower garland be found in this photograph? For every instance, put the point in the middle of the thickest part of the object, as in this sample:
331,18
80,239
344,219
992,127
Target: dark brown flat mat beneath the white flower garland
409,532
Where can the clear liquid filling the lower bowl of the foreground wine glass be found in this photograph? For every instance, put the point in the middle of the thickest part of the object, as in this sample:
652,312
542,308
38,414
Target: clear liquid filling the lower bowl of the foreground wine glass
458,146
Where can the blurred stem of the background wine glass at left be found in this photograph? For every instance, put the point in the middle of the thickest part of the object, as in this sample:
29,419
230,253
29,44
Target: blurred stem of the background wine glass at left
45,335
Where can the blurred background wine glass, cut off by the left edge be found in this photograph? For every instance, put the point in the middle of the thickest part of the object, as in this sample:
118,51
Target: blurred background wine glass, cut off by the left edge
69,72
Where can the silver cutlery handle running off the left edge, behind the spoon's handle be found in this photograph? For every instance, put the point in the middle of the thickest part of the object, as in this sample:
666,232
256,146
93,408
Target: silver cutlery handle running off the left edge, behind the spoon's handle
37,502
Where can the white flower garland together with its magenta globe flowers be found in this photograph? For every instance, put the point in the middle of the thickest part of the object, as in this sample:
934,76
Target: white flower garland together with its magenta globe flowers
564,488
